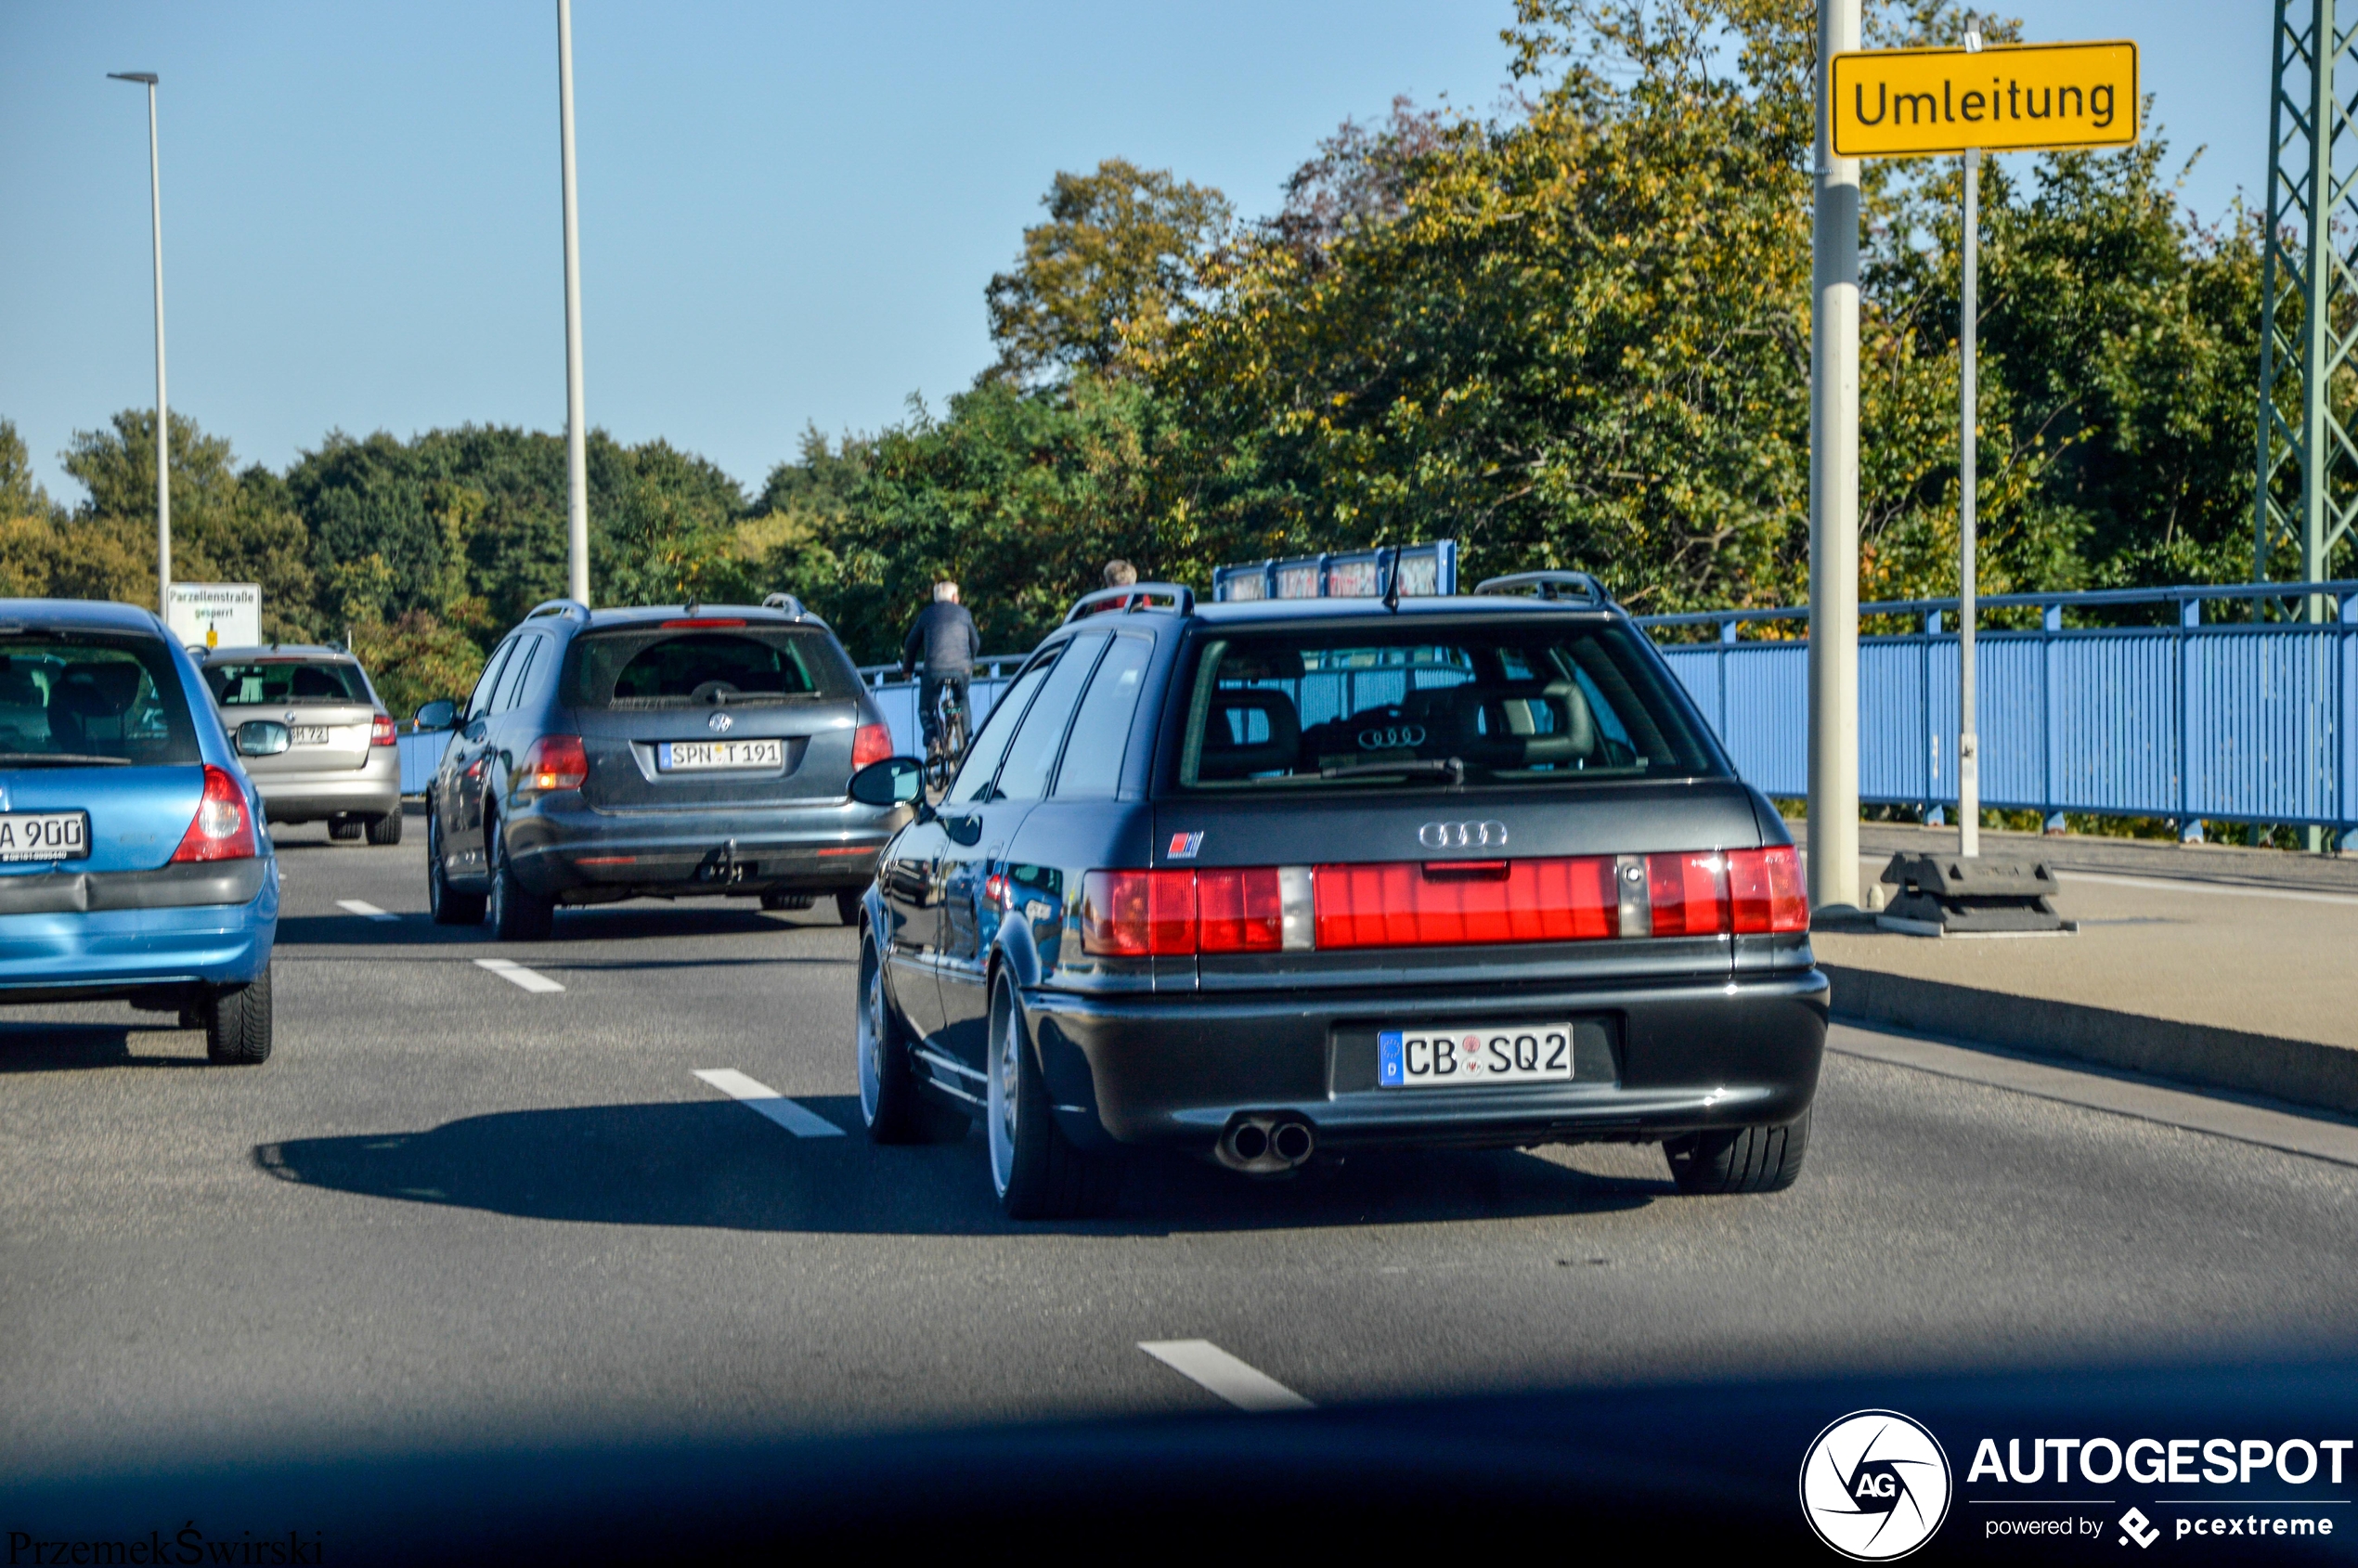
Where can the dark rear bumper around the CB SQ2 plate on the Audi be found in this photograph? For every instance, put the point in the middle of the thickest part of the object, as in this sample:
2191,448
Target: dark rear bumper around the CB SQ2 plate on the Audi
1666,1060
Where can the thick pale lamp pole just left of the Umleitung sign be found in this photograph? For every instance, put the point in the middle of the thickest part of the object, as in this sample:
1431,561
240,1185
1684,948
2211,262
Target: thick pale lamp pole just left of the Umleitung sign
1833,499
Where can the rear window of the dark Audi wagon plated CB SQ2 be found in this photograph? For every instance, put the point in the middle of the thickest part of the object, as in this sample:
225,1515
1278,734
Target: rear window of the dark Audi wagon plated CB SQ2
1477,706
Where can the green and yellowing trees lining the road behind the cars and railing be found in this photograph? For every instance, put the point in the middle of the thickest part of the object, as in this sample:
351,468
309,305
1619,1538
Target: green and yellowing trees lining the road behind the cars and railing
1574,334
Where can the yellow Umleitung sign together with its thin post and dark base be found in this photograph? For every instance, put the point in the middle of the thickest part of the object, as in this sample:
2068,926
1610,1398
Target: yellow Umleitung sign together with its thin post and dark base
1963,103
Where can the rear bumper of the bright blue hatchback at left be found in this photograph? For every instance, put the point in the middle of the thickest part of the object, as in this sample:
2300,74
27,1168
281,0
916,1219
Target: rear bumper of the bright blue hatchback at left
140,933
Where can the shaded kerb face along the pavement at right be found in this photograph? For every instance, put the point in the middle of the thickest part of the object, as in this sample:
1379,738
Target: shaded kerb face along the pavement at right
2293,1072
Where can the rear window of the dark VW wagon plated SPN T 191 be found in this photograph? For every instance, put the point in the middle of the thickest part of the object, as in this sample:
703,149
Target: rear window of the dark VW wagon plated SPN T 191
645,668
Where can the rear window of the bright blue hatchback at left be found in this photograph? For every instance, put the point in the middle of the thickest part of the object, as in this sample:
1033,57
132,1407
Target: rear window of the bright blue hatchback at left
93,699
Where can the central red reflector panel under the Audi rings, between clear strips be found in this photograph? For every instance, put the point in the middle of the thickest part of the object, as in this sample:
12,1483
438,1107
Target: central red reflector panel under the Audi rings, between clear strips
1468,902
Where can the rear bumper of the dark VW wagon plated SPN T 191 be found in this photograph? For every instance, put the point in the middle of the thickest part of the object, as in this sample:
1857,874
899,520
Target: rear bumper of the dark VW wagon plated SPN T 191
577,855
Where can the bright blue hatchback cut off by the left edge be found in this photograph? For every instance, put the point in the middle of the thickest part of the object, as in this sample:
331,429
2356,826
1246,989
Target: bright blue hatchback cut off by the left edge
133,855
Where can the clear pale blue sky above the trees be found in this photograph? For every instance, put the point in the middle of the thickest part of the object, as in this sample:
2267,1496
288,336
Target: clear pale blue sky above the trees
789,211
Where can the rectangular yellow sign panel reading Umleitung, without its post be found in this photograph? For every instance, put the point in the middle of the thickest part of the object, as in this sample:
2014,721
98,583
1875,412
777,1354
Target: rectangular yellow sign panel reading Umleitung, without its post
2003,100
